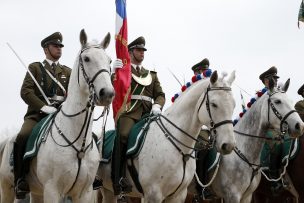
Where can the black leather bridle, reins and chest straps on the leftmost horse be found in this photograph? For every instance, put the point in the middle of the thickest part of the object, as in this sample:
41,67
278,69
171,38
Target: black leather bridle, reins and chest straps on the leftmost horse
88,110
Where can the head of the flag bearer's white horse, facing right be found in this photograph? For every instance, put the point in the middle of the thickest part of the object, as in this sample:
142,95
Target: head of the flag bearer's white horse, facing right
217,115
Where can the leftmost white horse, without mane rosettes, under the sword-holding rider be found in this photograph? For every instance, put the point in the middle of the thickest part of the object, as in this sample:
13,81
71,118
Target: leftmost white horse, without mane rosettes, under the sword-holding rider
68,159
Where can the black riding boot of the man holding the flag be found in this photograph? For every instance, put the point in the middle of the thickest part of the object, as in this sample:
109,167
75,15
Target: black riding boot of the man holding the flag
124,182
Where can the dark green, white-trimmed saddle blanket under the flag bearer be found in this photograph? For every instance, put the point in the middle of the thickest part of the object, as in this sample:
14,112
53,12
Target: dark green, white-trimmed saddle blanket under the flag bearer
135,140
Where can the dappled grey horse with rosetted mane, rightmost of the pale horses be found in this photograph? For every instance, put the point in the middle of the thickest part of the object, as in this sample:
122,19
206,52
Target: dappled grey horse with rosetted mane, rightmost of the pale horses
239,175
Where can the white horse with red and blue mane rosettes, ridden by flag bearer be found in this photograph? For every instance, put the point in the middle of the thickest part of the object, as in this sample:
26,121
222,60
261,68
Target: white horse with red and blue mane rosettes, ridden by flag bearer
164,165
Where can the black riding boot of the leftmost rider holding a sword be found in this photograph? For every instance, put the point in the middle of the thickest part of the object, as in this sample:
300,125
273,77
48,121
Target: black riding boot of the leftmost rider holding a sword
20,167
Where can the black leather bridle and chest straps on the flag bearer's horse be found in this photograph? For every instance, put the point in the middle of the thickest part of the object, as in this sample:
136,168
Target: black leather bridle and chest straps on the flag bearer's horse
173,139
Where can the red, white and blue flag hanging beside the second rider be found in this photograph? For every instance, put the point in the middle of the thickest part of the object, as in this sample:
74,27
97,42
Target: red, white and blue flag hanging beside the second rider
122,81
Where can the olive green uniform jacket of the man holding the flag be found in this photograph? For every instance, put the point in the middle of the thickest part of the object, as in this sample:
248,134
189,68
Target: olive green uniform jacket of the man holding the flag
154,90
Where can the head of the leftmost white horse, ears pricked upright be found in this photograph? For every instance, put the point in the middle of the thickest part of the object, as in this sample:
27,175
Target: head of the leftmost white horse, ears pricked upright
95,66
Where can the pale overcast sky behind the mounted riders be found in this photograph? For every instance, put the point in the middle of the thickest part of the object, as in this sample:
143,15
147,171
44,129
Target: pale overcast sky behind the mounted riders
248,36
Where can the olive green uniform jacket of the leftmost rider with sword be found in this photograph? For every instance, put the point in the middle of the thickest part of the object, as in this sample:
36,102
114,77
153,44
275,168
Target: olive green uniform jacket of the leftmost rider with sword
30,92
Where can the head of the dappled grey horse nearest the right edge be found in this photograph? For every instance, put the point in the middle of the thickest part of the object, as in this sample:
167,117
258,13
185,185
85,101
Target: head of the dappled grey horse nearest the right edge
279,112
